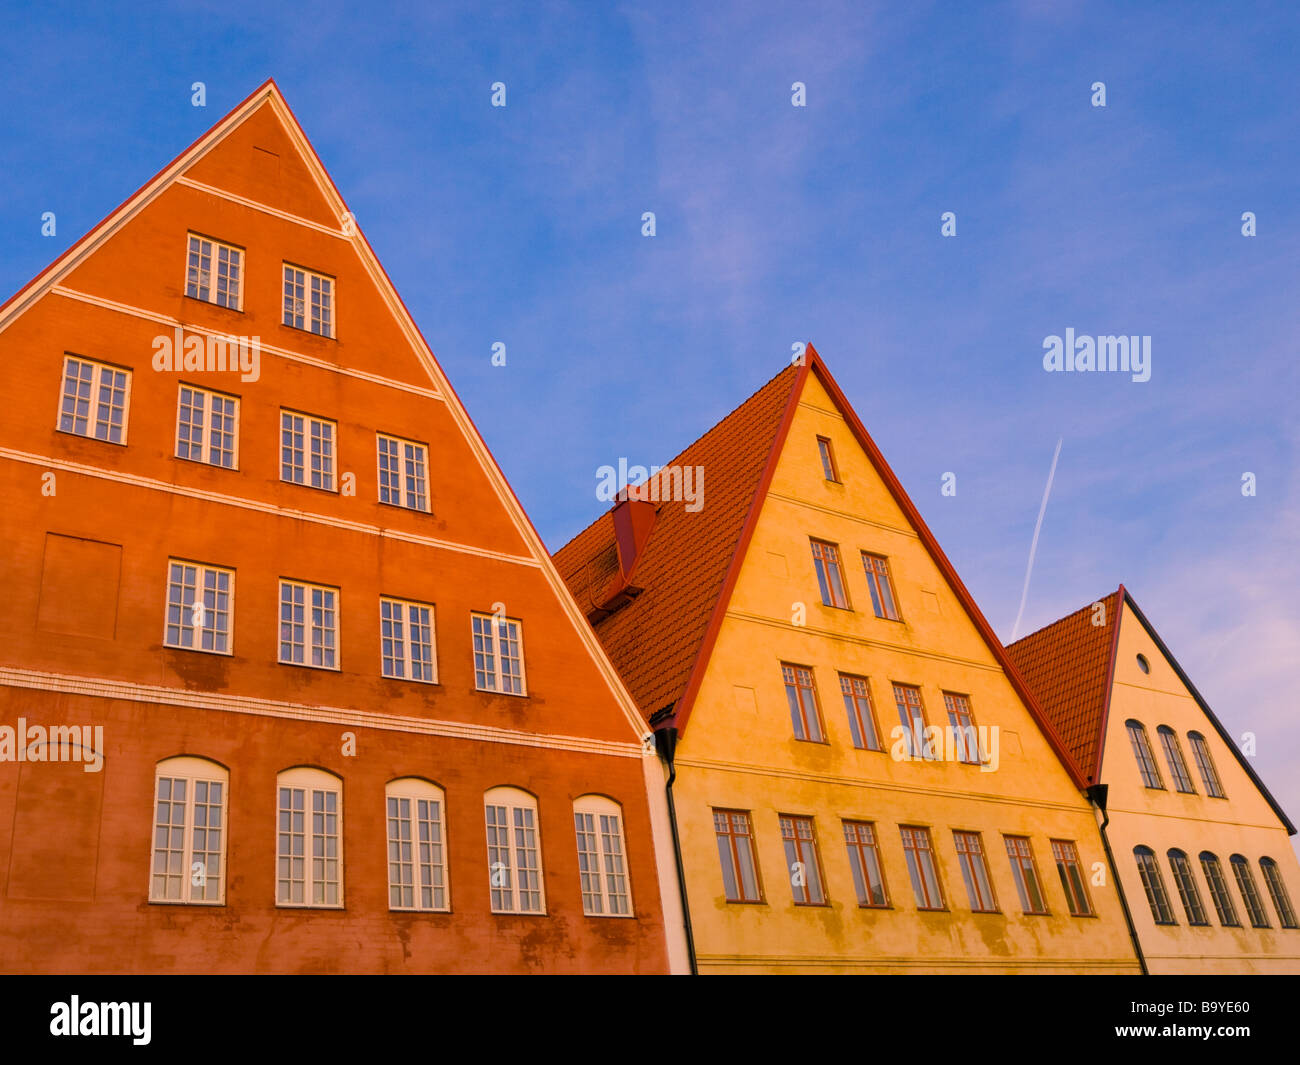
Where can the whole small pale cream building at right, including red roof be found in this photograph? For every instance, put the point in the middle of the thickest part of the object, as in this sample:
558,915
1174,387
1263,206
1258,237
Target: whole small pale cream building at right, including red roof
1203,850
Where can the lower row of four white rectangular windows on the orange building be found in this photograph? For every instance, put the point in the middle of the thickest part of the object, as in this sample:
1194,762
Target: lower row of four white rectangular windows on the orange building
201,617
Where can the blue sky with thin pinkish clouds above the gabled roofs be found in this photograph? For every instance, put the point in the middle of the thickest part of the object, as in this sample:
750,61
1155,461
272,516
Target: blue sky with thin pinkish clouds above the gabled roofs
781,224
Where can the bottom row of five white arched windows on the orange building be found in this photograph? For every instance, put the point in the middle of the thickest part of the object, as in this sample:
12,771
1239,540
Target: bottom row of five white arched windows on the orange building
190,843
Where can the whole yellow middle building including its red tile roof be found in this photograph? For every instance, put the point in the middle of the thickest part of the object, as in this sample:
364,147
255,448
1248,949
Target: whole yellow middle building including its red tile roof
779,611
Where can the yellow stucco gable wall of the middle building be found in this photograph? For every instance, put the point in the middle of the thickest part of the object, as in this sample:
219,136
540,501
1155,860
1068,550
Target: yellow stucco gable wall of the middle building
739,754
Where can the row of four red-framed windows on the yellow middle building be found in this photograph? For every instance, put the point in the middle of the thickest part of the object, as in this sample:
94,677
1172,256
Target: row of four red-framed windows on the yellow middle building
856,691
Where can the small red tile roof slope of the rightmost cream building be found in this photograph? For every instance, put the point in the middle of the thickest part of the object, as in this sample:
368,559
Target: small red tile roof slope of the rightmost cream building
1068,666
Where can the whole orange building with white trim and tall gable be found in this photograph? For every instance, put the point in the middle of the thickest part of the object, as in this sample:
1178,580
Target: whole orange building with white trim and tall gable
288,683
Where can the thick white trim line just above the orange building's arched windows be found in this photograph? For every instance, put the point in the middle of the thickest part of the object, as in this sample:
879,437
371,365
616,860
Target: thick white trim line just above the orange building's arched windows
265,708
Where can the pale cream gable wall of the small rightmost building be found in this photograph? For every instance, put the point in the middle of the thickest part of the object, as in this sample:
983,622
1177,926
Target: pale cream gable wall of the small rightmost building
1242,824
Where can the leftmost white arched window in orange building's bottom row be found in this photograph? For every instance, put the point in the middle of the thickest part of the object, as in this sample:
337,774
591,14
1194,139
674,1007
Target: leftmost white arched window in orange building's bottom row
189,833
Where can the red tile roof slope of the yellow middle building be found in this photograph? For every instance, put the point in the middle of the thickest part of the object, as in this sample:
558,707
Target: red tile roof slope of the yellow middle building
657,638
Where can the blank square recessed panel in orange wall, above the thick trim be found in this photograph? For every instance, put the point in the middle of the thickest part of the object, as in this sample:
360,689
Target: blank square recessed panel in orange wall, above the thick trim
79,587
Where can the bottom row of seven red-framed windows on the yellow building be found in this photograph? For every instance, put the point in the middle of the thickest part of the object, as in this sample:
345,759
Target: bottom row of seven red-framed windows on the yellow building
743,884
